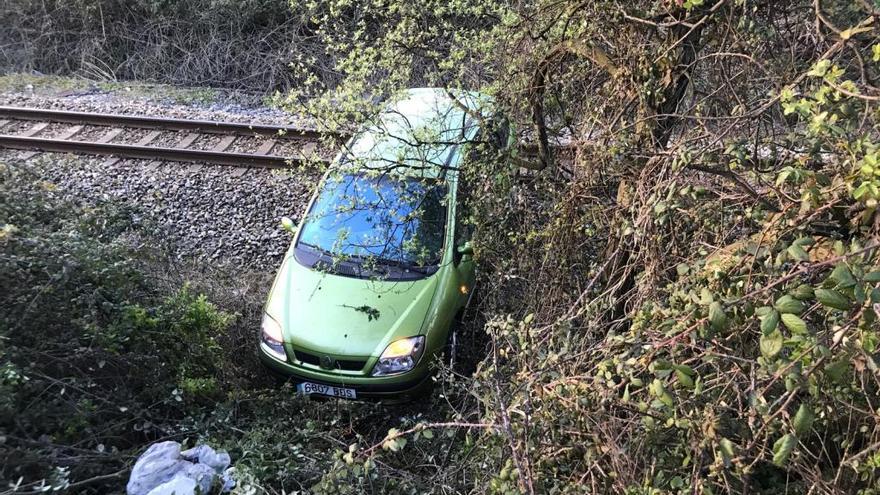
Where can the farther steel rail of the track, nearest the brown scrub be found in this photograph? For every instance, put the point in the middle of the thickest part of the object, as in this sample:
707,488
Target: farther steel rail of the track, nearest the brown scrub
144,122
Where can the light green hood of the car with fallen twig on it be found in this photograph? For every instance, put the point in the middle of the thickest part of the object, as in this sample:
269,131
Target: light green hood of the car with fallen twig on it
346,316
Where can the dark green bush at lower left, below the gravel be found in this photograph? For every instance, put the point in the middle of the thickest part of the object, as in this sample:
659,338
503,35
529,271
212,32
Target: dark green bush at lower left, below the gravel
93,354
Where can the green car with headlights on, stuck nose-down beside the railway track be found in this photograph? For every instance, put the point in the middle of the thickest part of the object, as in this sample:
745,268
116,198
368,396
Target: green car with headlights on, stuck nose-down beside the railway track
381,264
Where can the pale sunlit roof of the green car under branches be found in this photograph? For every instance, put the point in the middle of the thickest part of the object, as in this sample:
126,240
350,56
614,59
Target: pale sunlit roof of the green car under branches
418,133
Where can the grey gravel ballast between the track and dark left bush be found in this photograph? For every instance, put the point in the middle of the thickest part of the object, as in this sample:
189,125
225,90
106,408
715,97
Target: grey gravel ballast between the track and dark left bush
202,212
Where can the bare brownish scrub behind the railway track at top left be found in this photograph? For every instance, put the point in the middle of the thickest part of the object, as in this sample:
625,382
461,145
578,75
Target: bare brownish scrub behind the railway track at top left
242,45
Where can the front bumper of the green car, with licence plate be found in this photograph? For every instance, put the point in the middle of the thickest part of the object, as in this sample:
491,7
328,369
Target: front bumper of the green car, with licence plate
410,383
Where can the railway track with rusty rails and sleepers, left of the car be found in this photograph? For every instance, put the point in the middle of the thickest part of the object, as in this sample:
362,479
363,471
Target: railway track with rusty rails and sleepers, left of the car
196,141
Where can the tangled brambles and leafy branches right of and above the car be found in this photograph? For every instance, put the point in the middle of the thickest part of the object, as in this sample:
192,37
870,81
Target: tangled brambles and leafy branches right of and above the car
702,314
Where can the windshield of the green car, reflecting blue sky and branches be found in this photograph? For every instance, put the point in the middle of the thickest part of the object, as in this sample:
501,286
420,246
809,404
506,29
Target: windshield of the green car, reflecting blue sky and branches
377,220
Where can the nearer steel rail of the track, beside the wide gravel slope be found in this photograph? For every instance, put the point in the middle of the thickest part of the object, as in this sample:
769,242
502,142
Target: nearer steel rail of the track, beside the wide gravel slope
147,152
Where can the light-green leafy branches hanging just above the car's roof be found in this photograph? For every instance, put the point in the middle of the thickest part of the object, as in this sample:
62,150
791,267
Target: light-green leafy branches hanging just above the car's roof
378,48
